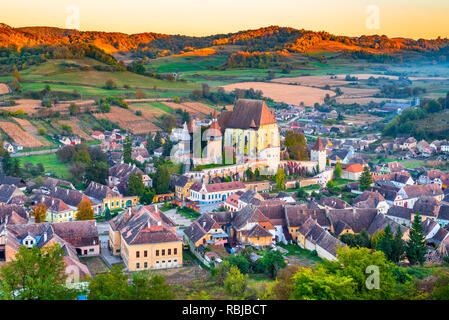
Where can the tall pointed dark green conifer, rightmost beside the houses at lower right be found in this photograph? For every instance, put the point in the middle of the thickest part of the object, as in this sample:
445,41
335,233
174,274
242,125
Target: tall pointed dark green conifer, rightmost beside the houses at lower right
416,245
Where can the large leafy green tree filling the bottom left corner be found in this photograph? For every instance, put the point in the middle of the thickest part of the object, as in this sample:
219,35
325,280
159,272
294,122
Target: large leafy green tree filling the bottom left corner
36,274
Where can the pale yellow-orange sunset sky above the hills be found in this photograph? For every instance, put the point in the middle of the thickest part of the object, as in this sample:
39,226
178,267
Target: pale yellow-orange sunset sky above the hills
397,18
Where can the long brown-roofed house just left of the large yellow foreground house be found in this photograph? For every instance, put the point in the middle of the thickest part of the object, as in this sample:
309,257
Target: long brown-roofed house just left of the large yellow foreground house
82,235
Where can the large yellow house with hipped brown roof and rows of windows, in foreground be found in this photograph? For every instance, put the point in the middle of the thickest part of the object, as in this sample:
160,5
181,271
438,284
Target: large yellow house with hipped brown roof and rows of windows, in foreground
146,239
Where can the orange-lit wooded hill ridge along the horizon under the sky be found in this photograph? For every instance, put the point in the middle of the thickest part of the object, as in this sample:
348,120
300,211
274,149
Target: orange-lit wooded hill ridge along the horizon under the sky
262,39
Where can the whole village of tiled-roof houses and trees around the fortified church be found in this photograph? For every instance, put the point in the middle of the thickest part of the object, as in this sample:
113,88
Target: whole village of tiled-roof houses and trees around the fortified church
239,188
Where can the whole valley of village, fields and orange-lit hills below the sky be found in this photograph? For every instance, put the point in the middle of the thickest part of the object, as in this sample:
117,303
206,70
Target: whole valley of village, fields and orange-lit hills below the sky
252,165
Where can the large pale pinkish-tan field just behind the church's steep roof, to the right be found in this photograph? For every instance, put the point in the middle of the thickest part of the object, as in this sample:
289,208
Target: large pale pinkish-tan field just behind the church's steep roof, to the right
291,94
